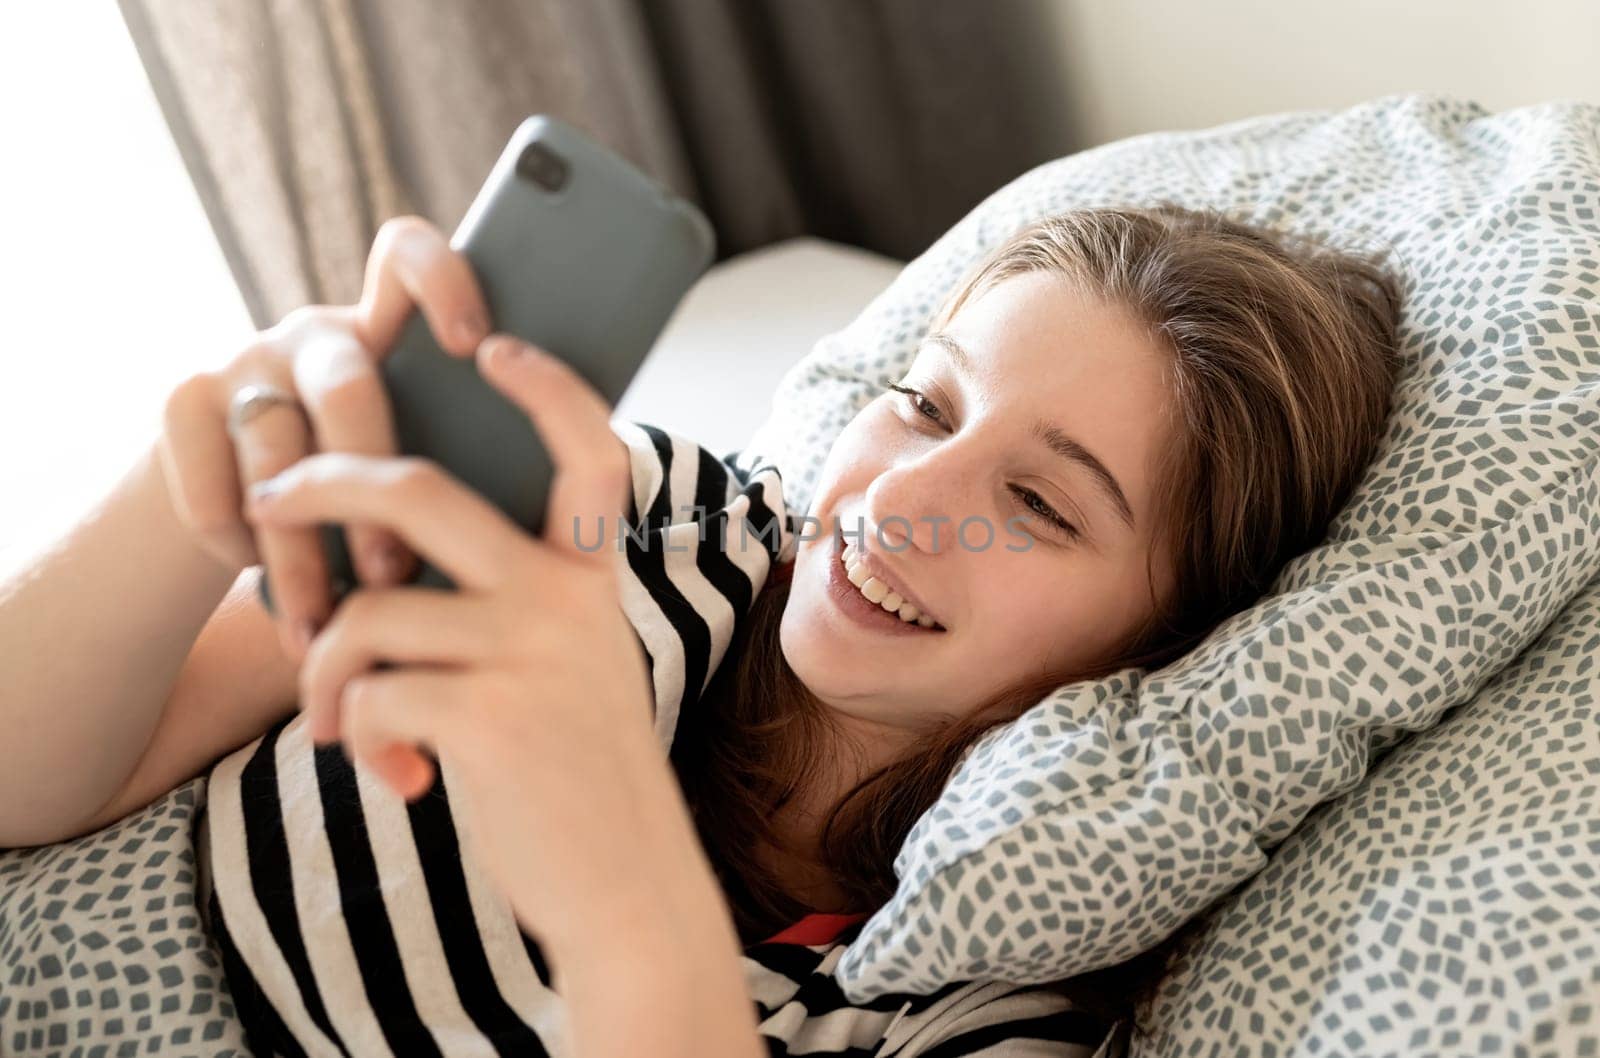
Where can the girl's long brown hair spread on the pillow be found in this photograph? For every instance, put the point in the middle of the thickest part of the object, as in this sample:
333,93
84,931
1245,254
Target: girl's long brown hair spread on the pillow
1282,369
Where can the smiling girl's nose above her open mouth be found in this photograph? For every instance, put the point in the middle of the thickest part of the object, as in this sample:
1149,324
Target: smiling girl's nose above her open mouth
919,502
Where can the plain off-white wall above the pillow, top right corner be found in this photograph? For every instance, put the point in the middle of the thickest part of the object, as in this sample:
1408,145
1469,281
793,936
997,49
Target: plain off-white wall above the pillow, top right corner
1135,66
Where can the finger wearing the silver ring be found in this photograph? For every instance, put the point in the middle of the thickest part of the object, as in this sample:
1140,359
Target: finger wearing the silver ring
297,567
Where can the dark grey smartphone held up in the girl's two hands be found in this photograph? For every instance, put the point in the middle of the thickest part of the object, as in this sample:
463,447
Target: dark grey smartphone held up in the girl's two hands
577,252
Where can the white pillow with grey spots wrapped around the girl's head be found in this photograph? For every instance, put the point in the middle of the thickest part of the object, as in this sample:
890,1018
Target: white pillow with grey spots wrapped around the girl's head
1114,811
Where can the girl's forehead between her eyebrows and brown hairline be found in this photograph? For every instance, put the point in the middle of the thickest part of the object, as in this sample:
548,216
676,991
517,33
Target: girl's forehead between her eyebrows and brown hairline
1042,351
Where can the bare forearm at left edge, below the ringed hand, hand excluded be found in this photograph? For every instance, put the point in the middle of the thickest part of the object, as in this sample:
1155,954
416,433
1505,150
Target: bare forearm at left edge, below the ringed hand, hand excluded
95,633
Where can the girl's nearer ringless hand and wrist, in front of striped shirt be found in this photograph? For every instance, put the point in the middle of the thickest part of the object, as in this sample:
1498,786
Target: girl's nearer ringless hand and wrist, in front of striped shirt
527,681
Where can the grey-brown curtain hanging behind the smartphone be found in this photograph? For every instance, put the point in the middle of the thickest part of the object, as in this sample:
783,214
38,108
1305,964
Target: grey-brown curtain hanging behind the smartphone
310,122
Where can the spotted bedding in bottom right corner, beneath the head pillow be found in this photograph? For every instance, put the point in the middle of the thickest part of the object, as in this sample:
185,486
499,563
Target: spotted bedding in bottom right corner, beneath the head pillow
1447,907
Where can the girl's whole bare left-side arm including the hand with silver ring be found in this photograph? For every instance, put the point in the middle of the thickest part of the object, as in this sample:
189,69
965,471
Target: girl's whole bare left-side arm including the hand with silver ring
108,695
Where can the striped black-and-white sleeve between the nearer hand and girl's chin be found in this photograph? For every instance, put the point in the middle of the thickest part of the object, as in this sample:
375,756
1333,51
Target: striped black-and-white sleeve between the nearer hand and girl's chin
703,537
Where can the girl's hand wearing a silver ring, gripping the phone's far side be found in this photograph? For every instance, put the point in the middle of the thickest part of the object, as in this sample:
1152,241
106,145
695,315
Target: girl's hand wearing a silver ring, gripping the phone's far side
329,358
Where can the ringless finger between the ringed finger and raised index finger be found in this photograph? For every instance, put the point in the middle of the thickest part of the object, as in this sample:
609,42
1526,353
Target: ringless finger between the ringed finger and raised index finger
350,412
